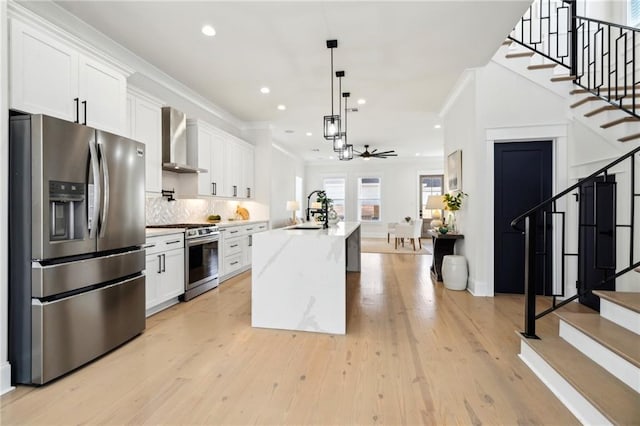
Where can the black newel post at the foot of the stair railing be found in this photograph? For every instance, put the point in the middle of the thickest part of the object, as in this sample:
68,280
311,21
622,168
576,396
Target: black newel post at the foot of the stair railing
530,224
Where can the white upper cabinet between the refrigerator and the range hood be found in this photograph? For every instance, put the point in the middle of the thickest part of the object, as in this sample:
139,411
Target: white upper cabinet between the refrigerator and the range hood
144,124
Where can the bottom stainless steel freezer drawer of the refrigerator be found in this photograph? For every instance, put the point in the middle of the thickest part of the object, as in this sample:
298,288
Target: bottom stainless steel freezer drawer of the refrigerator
70,332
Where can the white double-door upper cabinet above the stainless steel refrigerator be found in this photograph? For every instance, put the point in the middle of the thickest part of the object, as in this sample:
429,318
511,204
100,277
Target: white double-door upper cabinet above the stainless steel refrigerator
50,76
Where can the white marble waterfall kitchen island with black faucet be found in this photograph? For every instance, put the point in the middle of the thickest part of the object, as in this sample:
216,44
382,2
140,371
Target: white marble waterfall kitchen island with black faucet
299,277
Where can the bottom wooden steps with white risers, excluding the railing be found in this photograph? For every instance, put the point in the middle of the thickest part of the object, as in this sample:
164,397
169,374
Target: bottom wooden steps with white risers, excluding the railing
593,365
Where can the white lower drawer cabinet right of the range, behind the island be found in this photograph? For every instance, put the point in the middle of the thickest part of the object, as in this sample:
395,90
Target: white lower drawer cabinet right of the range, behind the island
235,248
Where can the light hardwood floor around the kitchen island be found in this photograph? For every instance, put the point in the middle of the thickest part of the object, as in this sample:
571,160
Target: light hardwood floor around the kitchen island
414,353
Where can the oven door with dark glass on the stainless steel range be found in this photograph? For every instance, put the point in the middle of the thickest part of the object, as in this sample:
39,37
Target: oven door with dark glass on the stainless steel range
201,261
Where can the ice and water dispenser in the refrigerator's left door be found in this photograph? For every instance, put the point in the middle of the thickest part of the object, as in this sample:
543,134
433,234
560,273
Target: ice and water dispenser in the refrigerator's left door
67,207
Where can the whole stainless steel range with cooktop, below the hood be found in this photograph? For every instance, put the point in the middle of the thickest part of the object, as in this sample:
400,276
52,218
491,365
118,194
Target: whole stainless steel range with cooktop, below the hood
200,257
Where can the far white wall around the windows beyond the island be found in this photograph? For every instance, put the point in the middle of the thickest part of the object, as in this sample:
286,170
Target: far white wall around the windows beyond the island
400,186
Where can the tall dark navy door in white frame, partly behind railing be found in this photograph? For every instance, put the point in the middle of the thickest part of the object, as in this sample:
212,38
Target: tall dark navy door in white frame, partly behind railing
522,179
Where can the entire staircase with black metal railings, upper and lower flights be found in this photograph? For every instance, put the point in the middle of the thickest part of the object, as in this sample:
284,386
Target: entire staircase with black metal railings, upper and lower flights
593,363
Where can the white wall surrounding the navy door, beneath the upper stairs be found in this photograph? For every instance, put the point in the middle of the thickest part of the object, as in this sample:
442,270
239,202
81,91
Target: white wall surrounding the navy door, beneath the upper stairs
494,104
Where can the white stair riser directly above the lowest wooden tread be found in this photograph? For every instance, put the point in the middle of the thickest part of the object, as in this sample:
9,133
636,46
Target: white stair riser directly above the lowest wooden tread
610,361
